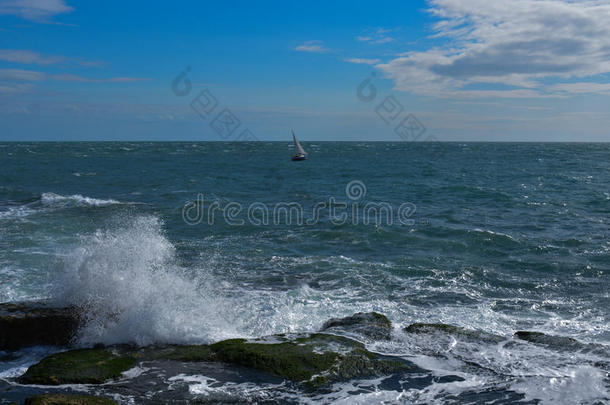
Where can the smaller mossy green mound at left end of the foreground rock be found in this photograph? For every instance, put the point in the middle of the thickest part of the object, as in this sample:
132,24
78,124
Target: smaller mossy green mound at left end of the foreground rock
83,366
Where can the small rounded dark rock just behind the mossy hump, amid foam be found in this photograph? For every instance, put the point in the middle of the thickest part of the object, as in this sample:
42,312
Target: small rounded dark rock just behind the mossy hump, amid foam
370,324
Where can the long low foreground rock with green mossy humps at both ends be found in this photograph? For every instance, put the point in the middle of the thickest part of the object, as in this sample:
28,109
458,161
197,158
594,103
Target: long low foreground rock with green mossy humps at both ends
314,360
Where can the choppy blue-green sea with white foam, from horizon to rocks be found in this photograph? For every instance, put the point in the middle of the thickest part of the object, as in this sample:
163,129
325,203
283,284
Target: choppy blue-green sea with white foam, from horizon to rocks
503,237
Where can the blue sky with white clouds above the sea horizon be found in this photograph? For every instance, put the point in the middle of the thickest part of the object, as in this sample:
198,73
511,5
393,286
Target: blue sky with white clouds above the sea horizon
447,70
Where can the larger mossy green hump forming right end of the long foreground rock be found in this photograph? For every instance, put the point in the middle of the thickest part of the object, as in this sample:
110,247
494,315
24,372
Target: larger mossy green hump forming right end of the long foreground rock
316,360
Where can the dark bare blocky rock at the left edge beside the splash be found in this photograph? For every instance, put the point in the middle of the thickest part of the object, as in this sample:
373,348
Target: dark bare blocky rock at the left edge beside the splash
36,323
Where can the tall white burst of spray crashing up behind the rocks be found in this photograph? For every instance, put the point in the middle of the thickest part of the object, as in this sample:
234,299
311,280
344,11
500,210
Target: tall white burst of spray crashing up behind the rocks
128,282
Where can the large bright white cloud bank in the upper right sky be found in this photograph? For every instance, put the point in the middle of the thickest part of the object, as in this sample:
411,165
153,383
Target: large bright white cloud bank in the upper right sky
516,43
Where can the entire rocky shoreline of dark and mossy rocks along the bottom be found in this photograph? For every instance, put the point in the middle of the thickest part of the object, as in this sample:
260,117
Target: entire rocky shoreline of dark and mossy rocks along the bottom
311,362
